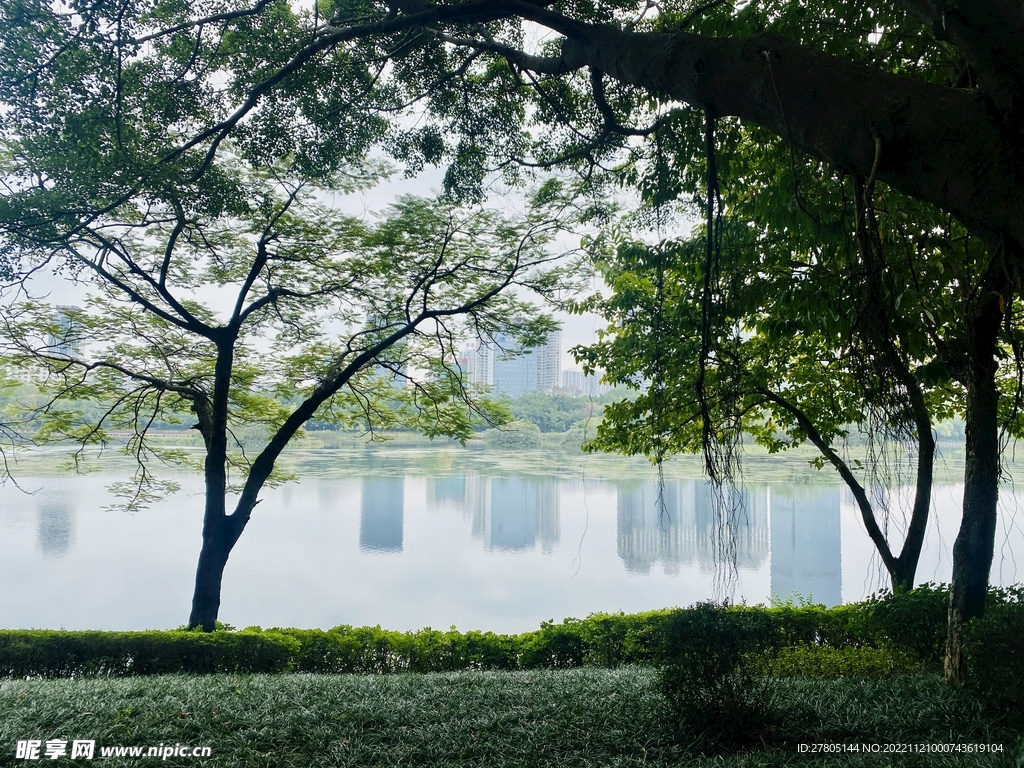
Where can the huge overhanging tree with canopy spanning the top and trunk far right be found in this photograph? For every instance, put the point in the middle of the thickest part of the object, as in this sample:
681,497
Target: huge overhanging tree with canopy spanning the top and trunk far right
919,97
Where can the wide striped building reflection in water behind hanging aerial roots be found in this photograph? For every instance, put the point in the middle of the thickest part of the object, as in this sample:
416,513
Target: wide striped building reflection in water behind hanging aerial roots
682,530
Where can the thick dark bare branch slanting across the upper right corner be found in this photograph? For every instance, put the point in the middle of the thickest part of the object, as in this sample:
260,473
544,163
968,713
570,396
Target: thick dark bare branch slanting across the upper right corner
945,146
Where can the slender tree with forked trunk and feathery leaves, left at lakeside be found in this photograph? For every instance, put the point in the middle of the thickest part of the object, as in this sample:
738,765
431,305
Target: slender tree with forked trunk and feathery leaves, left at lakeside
277,312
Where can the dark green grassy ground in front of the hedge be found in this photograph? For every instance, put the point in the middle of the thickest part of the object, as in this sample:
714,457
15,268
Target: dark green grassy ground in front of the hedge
583,717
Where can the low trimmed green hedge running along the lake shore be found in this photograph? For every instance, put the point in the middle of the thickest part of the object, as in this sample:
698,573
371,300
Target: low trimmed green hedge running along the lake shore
911,626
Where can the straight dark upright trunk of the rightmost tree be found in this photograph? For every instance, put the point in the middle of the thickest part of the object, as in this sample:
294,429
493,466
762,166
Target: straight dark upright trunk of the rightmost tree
975,544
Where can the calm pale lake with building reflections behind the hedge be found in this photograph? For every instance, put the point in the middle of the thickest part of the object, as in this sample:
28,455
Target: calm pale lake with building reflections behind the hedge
411,538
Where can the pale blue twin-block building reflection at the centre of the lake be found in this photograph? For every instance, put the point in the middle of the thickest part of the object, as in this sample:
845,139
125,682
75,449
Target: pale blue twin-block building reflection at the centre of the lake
513,514
